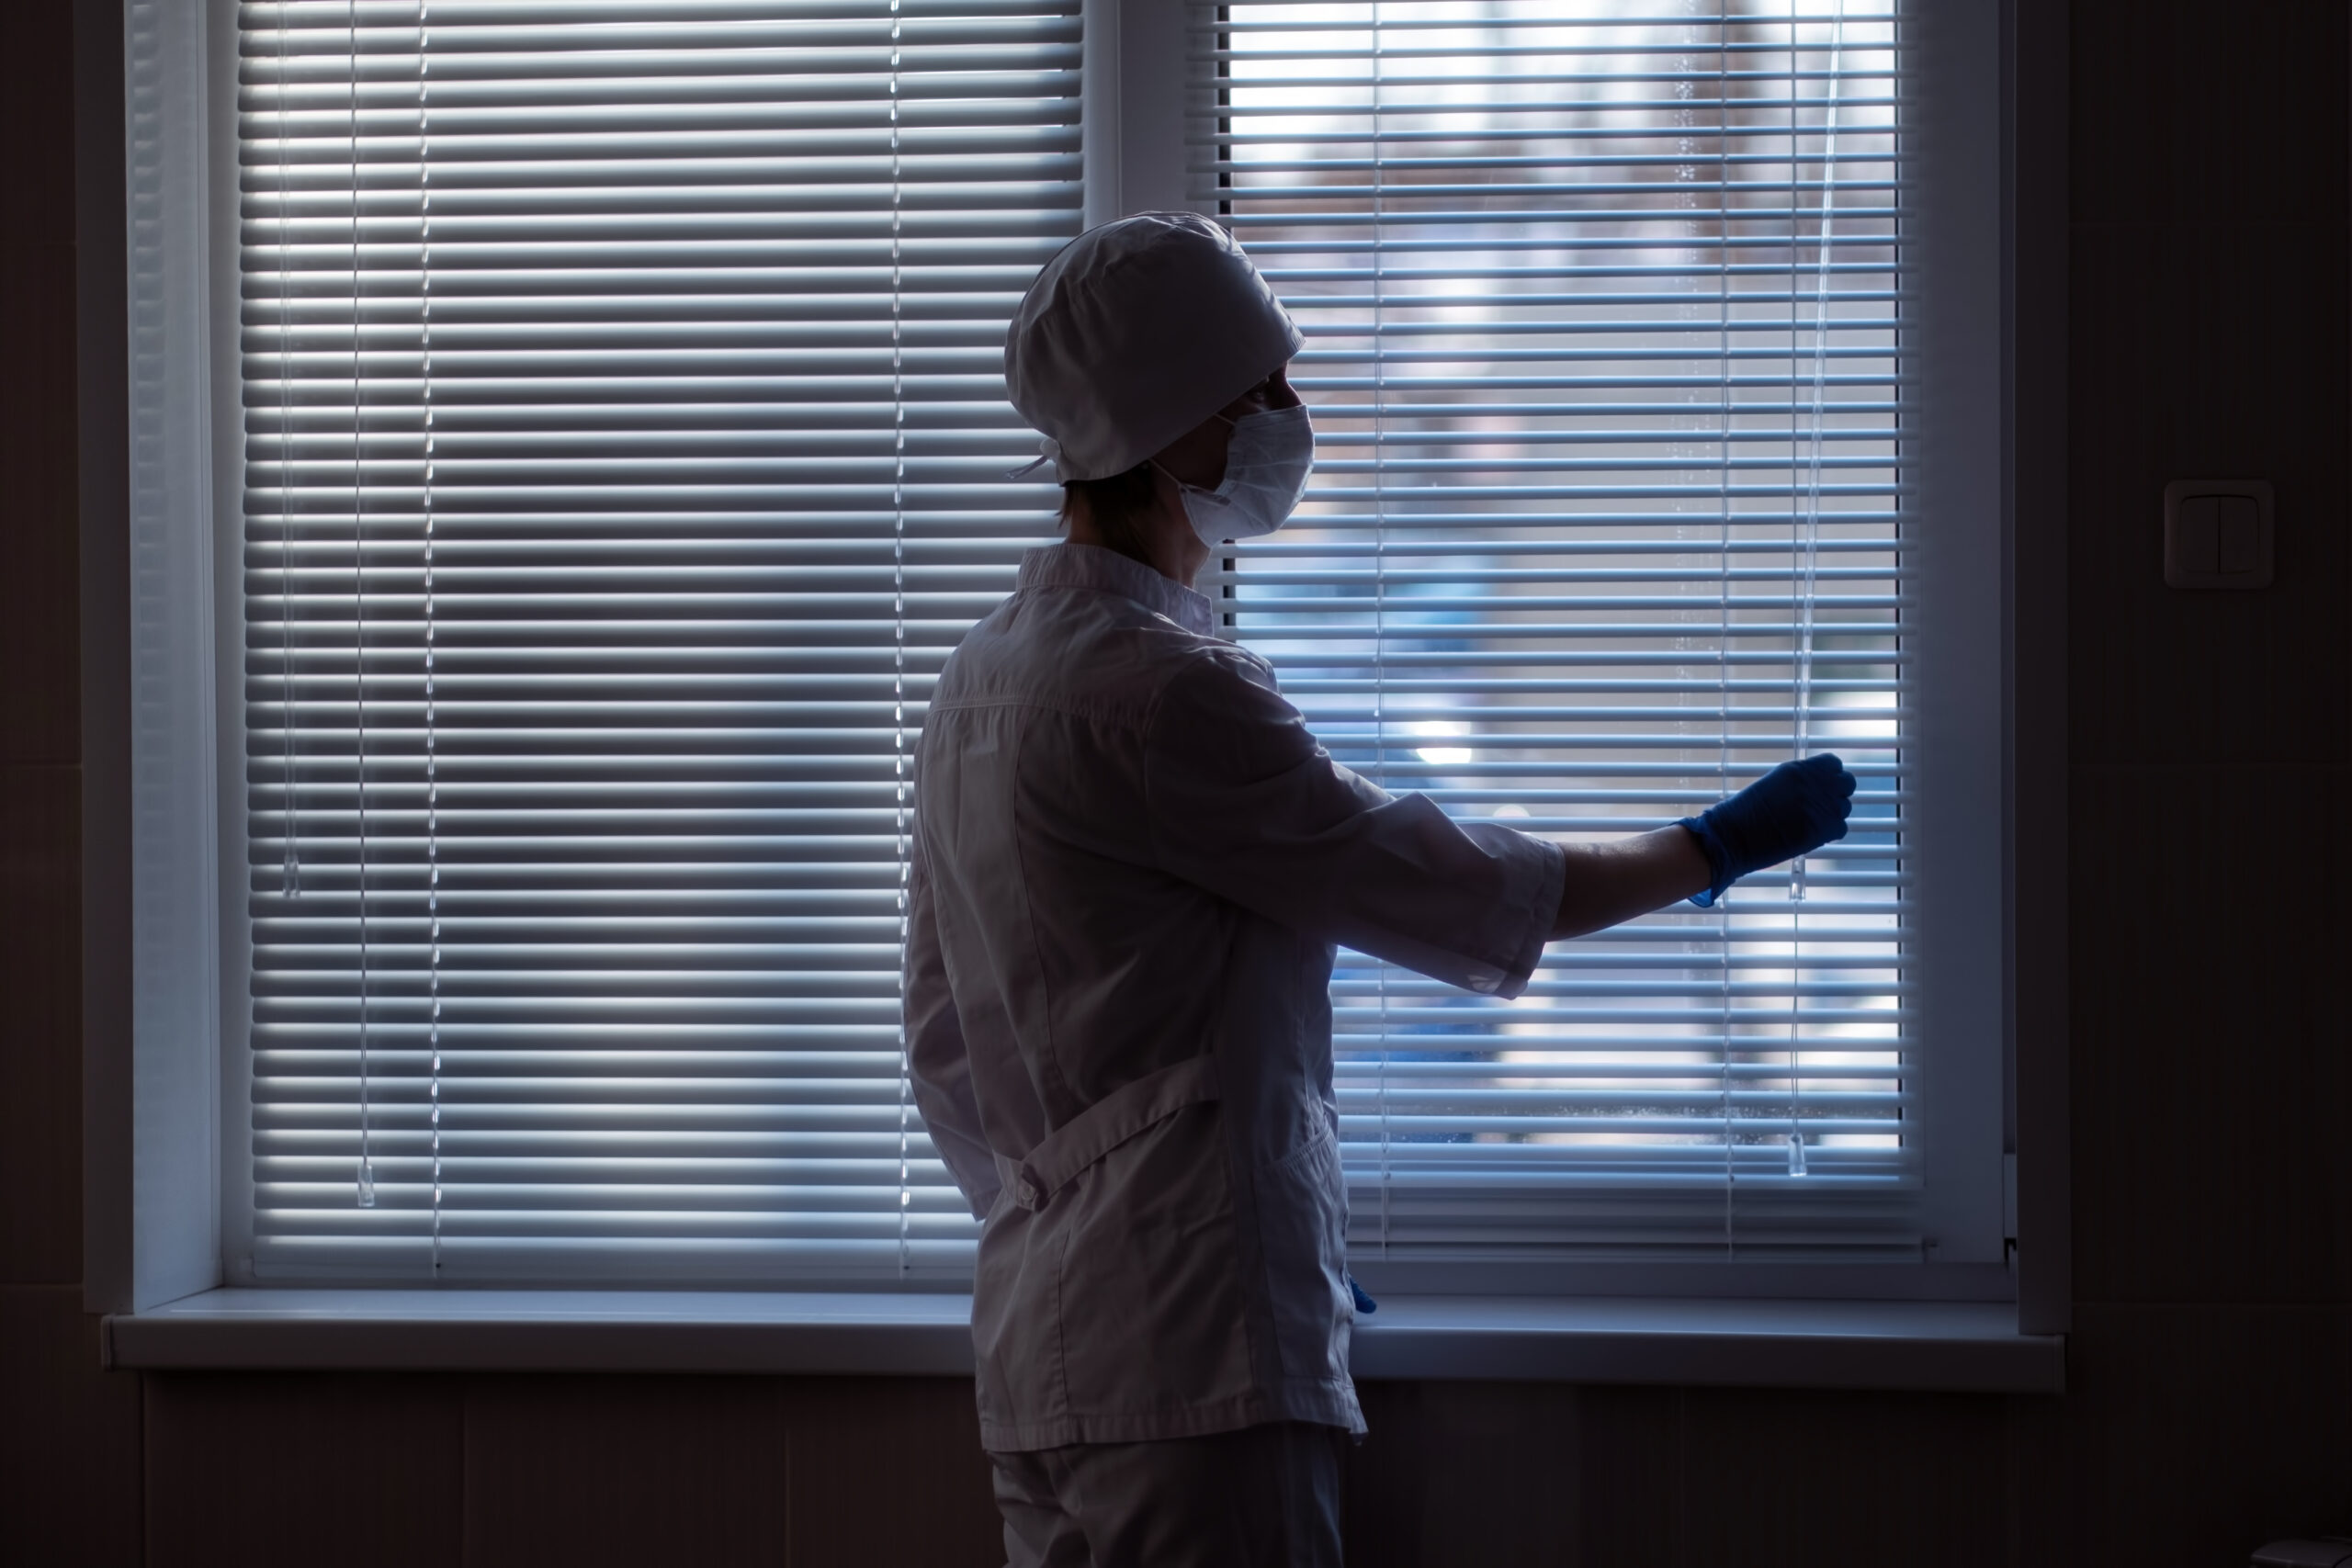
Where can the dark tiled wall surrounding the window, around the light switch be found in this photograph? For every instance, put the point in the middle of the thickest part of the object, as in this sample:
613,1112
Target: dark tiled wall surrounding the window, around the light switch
2212,1071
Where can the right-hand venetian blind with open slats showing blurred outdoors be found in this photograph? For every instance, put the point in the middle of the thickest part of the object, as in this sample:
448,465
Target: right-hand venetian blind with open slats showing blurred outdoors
1605,311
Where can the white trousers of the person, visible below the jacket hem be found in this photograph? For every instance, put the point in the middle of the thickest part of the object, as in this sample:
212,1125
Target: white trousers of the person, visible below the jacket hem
1252,1499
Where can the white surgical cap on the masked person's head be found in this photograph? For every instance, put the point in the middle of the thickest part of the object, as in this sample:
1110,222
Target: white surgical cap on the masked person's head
1137,333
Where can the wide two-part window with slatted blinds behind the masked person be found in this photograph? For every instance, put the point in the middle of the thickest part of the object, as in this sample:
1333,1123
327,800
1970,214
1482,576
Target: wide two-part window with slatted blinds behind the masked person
622,445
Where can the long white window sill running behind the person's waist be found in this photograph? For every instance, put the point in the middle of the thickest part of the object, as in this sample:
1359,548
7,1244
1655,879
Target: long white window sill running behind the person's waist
1786,1343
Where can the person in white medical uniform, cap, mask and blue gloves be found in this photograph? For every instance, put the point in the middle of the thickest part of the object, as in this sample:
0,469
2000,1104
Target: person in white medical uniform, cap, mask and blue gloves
1130,871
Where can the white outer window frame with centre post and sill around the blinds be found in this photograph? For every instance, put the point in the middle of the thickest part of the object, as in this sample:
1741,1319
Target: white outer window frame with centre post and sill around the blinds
168,1198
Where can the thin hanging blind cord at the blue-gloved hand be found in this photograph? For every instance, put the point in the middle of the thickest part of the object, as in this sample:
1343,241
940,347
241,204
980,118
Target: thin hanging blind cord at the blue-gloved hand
1810,549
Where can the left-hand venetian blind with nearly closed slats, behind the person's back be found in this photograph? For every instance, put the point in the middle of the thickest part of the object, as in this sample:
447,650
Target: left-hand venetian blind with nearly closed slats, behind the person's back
624,445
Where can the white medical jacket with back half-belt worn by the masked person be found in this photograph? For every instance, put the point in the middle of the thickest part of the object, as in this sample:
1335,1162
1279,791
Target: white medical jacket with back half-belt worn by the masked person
1130,871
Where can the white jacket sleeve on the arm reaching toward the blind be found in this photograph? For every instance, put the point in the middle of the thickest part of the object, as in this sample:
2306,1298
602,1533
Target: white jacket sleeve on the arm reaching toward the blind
1248,805
